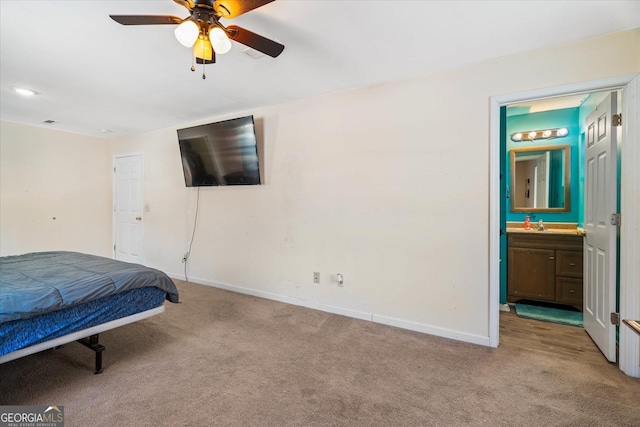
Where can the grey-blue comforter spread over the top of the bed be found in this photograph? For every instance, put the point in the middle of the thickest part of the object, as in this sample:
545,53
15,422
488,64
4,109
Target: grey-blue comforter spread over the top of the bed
38,283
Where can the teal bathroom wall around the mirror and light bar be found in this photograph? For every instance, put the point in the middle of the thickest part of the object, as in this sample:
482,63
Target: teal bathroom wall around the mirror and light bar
568,118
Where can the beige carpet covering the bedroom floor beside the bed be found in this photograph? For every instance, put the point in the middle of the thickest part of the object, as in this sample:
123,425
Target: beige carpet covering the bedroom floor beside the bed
220,358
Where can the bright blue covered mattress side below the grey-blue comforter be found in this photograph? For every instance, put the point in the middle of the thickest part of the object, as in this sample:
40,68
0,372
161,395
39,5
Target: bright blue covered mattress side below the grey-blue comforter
18,334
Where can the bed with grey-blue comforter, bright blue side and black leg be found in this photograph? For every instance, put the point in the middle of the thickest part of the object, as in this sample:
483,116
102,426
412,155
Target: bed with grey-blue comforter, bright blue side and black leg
48,299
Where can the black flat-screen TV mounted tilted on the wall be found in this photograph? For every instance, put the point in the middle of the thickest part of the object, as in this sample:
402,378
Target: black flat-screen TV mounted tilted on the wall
221,153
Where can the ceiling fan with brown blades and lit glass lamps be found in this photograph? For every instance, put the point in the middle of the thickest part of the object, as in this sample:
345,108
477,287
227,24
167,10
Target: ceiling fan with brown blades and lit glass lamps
202,29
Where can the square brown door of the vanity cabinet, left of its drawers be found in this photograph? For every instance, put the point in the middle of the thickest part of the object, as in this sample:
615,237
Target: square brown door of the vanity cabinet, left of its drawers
531,273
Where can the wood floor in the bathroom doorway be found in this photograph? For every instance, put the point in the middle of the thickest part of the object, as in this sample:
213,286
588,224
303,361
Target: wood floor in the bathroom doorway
551,338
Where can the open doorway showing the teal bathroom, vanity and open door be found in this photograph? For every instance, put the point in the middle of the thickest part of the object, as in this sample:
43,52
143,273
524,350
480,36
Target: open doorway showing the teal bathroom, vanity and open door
543,217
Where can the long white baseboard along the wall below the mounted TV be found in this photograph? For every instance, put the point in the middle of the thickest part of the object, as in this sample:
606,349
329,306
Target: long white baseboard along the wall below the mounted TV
385,320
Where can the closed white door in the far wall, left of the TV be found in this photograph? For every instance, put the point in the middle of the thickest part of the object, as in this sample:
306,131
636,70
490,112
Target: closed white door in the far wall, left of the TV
128,173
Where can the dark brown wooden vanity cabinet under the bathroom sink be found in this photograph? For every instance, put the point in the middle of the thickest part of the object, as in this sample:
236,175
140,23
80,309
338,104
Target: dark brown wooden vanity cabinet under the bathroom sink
545,267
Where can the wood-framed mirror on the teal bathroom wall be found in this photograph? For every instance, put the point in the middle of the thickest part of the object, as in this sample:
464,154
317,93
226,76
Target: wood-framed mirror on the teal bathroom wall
540,178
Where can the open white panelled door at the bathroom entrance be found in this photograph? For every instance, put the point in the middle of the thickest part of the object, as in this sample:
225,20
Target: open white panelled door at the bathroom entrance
600,241
